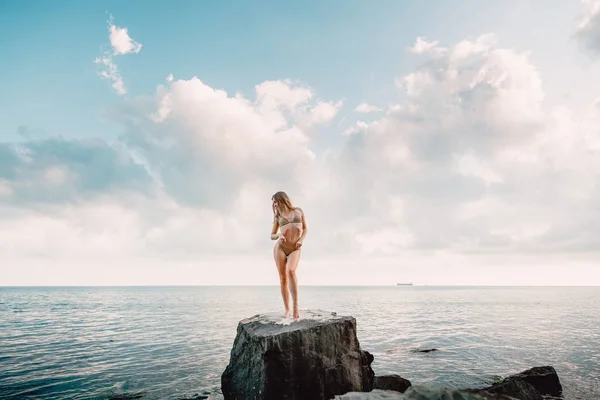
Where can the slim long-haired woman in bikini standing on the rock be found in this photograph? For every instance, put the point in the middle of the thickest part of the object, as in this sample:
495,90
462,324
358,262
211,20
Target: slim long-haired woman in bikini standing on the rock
292,224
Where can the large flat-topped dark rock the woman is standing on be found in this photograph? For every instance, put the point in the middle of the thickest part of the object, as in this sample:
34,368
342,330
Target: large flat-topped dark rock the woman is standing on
317,357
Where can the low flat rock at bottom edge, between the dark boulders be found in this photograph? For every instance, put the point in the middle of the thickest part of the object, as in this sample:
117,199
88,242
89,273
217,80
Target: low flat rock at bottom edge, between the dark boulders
423,393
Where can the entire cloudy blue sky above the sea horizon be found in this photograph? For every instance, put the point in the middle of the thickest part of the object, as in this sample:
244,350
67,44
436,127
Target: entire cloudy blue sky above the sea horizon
432,142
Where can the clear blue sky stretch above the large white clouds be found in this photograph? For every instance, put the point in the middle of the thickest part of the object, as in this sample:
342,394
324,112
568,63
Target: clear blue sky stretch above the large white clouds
352,52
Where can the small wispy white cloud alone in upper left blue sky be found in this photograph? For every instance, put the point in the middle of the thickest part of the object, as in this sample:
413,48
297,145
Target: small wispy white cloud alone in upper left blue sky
121,44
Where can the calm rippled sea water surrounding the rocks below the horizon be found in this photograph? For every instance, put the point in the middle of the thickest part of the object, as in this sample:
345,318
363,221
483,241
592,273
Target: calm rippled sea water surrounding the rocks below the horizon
174,342
